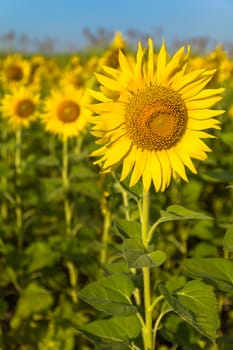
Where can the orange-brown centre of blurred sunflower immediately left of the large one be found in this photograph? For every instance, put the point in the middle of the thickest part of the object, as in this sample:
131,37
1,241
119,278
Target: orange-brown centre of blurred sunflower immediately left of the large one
68,111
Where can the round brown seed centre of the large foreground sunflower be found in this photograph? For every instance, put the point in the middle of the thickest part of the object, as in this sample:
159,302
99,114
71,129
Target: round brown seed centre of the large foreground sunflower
155,118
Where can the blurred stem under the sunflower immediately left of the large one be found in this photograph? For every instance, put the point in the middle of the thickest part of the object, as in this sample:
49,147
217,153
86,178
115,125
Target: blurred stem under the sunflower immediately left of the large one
65,180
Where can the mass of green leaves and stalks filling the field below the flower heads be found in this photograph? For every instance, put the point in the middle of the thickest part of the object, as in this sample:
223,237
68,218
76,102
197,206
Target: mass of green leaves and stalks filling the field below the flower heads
84,290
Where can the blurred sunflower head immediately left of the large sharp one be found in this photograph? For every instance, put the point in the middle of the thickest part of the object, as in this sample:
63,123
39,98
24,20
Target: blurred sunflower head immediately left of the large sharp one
64,112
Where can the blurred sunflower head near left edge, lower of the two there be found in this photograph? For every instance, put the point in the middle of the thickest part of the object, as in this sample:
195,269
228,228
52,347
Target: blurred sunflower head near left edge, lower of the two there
20,106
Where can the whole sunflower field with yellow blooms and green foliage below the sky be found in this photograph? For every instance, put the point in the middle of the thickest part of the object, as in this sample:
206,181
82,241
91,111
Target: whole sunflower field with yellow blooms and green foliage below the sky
116,199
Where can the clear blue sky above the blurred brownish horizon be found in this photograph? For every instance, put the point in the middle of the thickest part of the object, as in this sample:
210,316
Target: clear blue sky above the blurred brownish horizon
65,19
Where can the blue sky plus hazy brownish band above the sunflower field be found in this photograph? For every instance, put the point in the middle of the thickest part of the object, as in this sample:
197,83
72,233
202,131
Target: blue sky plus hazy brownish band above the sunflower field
68,25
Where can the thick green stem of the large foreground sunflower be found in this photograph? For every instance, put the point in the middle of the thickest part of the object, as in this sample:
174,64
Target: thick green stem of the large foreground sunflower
148,332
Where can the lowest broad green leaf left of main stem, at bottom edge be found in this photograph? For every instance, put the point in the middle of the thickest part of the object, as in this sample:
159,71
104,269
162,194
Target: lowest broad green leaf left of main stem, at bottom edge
114,333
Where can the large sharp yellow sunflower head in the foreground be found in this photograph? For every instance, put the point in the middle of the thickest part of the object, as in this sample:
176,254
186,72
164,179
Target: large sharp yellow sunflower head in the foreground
155,126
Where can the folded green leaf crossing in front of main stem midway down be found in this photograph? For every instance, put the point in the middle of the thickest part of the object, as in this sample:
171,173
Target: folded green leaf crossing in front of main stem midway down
137,257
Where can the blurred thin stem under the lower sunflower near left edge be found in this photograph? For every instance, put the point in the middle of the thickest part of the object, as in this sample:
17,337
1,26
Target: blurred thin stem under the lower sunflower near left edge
18,199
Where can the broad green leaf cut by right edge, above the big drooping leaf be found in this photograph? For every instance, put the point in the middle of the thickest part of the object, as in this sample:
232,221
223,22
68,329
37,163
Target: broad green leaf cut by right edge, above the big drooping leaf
216,271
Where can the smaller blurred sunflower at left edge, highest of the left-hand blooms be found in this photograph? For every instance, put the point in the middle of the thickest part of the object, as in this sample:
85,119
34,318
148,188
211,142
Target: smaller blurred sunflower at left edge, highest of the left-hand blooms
15,69
